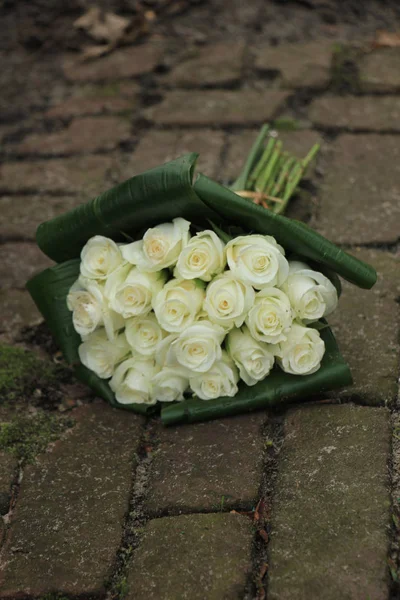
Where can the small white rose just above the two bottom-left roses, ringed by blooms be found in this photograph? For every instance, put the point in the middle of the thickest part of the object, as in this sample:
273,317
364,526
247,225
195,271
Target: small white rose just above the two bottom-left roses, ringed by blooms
143,334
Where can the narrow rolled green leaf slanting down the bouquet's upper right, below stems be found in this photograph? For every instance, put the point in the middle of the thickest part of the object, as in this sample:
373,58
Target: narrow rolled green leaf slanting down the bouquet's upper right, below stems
294,236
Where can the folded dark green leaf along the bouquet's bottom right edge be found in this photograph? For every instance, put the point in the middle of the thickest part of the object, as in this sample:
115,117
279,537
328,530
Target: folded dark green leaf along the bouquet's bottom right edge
278,388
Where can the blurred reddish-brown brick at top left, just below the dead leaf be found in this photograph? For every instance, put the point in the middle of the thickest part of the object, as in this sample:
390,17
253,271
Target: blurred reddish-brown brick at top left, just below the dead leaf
120,64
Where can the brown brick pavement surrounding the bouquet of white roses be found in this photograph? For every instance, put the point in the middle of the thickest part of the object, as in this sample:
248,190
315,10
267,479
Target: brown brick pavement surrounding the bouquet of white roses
300,505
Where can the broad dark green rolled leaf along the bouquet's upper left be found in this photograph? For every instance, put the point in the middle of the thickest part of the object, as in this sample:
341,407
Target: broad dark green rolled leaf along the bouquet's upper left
143,201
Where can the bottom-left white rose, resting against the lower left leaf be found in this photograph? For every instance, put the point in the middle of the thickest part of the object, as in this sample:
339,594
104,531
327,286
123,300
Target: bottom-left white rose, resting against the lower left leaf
132,381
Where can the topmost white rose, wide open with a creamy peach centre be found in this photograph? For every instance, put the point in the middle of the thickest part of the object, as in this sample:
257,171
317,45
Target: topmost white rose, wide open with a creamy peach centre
160,246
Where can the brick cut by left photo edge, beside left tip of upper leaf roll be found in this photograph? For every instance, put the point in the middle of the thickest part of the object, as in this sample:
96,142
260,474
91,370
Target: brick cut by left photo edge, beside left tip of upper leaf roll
19,262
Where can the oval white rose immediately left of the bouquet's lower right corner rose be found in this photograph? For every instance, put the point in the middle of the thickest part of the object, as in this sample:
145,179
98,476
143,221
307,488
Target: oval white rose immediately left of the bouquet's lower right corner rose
254,359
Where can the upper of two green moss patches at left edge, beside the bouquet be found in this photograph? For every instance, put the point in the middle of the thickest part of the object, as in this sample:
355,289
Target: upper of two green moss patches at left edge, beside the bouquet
22,371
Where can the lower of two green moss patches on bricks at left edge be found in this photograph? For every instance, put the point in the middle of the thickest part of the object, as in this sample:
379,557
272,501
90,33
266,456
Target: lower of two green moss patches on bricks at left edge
27,436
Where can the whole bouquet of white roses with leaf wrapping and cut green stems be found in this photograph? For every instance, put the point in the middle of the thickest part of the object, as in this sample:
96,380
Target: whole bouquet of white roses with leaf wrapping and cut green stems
188,296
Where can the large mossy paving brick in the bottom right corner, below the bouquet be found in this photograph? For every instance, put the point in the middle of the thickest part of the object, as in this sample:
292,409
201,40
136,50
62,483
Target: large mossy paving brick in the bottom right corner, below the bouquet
330,521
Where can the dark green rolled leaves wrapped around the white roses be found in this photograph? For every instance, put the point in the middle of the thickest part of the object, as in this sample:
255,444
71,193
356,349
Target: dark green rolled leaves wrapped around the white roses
160,195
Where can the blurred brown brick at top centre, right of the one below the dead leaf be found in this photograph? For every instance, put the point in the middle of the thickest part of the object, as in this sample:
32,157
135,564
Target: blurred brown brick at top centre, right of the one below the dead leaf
213,65
